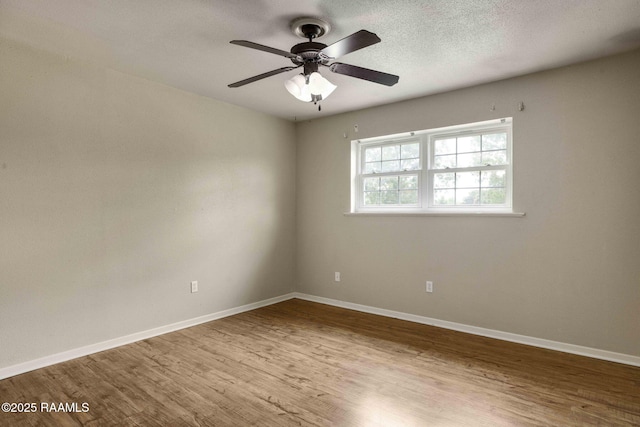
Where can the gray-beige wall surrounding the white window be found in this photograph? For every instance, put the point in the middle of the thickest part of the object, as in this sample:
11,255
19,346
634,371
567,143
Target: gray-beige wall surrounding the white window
569,271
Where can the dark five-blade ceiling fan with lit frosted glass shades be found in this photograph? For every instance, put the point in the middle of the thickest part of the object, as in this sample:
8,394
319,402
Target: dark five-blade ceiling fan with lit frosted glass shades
310,85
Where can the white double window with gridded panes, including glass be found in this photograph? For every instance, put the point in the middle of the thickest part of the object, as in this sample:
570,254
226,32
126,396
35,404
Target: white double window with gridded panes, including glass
464,168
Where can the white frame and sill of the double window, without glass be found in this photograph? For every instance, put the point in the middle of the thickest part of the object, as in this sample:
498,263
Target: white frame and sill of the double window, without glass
426,171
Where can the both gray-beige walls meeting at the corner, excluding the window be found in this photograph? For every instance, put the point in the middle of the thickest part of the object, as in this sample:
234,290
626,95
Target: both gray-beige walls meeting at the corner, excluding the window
116,192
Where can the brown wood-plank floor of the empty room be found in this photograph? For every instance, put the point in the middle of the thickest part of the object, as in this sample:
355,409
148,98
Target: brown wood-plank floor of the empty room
302,363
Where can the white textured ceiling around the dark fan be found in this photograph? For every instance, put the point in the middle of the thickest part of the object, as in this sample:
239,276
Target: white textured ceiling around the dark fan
433,45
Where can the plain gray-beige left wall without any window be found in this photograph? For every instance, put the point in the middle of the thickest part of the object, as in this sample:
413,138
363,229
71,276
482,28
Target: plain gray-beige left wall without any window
116,192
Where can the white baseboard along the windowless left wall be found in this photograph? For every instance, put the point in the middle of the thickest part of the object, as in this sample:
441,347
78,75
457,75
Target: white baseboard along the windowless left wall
42,362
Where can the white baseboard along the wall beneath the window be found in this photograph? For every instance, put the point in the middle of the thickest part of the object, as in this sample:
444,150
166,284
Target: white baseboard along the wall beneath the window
595,353
